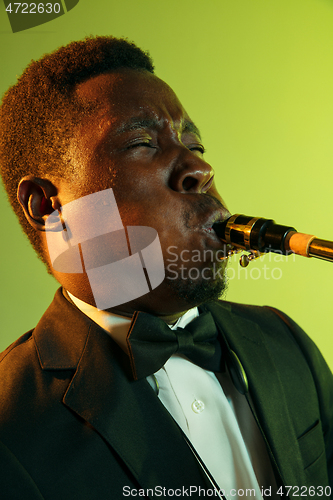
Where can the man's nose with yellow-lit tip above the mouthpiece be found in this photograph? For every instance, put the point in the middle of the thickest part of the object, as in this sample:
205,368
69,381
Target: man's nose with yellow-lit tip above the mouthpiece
191,175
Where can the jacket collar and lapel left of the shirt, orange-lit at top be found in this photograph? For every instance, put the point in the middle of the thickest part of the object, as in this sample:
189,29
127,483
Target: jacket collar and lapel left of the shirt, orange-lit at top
126,413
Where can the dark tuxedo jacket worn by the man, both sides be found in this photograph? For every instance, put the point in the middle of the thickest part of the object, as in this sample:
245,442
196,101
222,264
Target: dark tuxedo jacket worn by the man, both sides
74,425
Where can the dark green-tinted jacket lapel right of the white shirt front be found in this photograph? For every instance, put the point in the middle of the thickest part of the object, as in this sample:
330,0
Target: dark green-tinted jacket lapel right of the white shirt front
271,405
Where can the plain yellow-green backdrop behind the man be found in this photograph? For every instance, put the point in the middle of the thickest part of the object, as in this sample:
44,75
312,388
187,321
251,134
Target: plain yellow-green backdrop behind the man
257,78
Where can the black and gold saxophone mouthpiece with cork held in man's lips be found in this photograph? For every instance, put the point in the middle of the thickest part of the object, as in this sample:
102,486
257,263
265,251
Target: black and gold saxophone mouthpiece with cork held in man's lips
258,236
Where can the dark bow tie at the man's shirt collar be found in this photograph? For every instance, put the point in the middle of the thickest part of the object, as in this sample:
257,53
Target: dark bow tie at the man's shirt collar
151,342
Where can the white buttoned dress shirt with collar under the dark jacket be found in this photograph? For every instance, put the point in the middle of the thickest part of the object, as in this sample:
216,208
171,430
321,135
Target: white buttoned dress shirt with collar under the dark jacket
213,415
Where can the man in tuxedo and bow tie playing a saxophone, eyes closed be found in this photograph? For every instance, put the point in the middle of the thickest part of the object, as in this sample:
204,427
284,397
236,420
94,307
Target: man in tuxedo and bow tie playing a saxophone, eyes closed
86,411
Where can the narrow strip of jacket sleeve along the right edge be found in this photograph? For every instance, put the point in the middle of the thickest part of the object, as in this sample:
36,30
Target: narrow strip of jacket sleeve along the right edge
323,380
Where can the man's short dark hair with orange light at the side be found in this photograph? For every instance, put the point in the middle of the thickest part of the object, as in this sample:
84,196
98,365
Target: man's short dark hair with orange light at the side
39,113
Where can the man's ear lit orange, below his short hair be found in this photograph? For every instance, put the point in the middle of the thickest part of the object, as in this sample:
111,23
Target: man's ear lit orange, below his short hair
38,199
